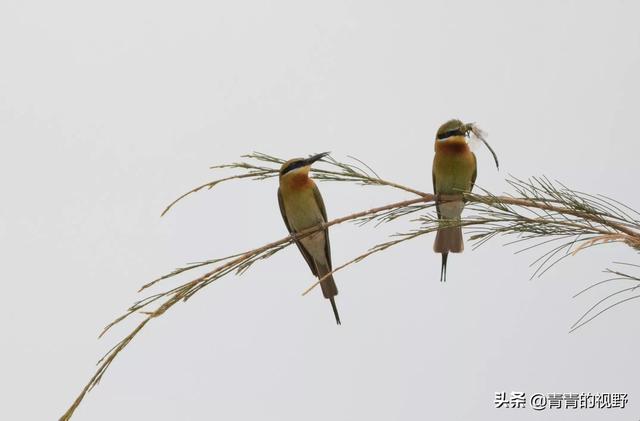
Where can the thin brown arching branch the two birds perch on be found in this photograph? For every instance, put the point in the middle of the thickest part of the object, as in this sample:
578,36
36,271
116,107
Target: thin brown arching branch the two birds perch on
606,229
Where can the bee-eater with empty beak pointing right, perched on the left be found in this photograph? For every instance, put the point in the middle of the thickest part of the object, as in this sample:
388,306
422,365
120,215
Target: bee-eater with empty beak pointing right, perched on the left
302,207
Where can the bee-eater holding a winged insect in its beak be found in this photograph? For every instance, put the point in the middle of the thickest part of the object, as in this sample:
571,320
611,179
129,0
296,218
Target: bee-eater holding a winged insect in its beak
454,173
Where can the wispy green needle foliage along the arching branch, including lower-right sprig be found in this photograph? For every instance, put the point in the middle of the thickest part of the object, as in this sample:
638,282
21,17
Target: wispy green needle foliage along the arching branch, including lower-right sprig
540,214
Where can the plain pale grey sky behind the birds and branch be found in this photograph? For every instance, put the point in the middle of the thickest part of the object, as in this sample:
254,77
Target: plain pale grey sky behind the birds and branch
110,110
